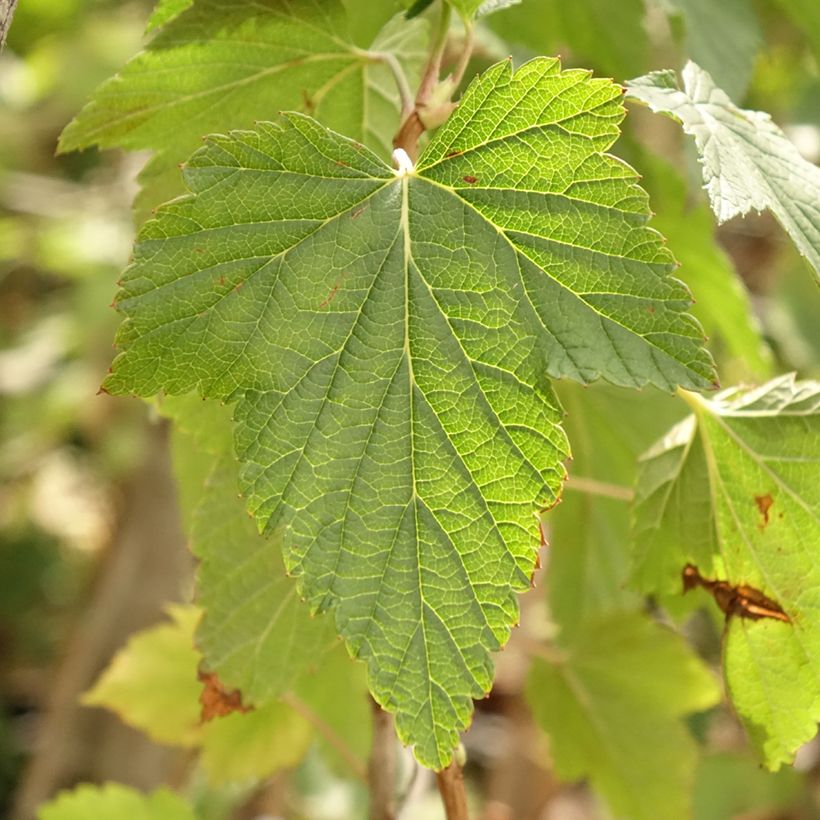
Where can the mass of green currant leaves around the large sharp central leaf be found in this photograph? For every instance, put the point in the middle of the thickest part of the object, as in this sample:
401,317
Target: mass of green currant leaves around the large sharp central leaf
385,339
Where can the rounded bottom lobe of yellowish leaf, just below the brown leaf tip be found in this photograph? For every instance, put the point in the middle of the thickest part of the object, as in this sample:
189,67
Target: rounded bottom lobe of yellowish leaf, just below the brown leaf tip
252,746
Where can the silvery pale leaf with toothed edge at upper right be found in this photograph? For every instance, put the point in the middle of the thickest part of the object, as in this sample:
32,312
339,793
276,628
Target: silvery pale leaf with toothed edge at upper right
748,162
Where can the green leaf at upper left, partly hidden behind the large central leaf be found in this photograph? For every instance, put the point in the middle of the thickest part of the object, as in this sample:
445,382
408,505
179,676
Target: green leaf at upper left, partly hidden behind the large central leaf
192,79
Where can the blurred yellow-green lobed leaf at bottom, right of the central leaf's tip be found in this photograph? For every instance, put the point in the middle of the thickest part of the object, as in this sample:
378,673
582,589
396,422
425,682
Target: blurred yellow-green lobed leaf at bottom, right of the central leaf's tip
612,704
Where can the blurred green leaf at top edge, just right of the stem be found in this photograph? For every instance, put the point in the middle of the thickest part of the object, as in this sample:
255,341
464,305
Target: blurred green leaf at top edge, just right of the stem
614,44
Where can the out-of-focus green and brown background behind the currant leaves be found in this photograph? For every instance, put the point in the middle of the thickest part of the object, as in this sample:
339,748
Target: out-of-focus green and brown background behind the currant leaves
90,545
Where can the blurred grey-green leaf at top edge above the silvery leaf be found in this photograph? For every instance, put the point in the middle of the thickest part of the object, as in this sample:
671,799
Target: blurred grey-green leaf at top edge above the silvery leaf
706,42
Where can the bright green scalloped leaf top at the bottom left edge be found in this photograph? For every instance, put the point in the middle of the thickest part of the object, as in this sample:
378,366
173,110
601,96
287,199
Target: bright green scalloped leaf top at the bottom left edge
115,802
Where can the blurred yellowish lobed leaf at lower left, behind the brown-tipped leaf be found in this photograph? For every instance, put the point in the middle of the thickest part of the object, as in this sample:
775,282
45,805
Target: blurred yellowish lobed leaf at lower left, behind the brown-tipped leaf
152,685
